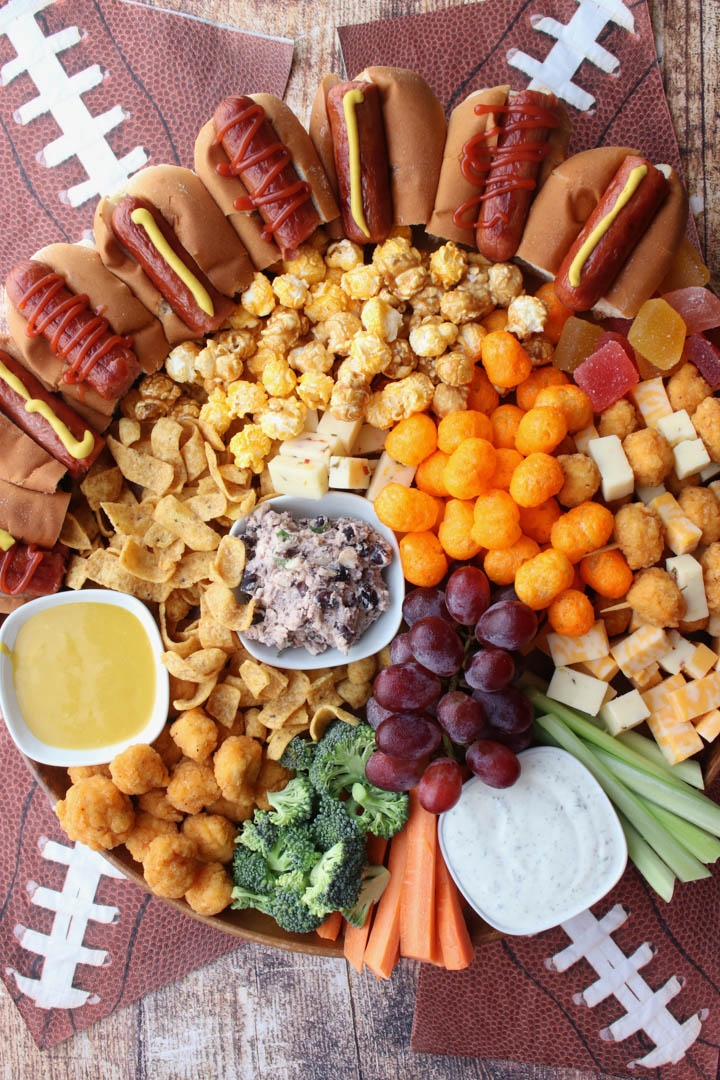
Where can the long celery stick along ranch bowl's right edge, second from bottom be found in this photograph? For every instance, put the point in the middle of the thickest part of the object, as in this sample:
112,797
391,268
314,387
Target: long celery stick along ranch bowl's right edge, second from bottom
685,866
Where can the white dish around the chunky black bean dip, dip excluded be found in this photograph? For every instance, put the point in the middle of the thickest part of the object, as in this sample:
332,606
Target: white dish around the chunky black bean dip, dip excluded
337,505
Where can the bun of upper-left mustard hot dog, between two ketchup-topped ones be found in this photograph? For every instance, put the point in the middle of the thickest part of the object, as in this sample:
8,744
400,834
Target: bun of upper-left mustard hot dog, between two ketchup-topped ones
200,226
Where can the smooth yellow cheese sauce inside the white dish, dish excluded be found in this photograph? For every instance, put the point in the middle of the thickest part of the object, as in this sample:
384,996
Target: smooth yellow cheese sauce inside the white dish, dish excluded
85,676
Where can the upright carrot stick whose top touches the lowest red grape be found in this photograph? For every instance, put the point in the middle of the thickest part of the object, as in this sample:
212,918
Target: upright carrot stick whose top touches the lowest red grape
418,897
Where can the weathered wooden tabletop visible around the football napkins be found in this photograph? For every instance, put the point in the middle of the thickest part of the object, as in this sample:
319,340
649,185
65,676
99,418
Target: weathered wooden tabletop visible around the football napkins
261,1014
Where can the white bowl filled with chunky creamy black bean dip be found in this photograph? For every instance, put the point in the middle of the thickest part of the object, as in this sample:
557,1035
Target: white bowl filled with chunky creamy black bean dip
327,578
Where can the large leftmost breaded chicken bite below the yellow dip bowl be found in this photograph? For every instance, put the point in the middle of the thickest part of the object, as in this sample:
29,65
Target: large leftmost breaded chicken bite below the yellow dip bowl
98,814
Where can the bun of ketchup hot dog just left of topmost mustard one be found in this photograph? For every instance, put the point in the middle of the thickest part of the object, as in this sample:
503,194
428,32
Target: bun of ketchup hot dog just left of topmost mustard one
226,190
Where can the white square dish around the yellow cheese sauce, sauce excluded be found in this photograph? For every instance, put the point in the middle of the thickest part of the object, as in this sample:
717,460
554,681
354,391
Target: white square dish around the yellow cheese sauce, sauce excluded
23,738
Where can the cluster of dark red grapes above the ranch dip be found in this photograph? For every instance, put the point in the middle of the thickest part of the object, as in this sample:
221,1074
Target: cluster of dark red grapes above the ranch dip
450,691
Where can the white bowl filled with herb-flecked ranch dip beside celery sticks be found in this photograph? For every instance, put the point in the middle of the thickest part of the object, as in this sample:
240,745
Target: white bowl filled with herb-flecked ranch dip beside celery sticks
531,857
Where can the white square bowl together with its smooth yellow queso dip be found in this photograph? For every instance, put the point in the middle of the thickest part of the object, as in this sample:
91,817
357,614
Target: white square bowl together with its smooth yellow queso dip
81,678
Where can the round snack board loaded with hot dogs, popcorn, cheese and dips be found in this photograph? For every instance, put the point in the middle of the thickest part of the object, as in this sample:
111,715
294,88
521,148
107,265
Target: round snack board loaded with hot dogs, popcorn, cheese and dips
406,436
